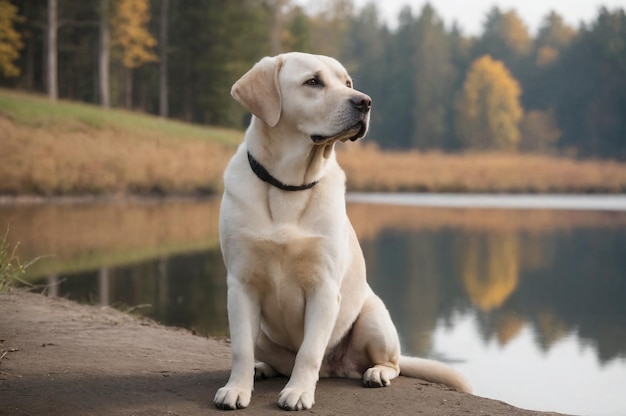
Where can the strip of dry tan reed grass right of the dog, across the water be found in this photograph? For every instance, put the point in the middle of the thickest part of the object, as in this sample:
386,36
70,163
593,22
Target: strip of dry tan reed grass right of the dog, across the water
370,169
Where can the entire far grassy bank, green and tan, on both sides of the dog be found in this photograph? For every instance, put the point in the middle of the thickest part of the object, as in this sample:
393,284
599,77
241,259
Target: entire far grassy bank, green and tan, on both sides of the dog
67,148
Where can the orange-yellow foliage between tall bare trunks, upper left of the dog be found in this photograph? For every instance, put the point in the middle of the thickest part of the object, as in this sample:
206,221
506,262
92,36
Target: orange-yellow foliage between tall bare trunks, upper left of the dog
129,31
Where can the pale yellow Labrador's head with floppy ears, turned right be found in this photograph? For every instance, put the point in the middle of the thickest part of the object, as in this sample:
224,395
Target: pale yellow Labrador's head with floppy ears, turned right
311,94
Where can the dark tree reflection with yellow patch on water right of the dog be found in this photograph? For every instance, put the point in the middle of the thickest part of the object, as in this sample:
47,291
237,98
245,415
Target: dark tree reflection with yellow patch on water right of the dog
558,283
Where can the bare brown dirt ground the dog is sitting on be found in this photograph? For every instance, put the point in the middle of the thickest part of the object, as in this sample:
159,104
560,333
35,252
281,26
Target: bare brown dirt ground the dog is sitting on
62,358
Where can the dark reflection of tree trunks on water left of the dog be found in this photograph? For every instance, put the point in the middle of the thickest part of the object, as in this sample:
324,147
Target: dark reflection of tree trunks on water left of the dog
186,290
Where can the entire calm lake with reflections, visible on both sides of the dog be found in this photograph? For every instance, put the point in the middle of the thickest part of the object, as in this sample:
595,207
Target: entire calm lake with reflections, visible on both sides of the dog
526,295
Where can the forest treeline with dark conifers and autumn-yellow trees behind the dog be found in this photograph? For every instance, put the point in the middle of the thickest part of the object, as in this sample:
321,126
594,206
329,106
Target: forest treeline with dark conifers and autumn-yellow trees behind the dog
561,90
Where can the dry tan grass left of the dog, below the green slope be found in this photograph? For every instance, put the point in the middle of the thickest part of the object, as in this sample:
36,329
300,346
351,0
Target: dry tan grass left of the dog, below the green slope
74,158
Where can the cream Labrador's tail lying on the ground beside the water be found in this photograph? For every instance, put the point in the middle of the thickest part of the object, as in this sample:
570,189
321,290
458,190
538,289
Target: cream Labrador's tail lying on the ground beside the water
434,371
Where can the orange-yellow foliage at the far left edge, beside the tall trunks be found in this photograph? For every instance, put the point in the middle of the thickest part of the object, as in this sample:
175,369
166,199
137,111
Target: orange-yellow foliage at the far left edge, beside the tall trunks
10,39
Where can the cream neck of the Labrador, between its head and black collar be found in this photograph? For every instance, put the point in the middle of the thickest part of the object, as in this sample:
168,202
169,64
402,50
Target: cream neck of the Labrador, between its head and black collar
295,162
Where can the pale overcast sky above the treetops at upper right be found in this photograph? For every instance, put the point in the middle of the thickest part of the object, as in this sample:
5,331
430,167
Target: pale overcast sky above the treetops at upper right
470,14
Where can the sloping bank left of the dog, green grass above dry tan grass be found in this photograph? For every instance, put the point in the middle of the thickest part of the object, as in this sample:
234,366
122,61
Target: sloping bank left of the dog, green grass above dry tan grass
69,148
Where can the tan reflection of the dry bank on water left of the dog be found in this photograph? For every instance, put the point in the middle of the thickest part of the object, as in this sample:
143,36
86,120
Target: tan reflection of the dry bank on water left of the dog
74,237
